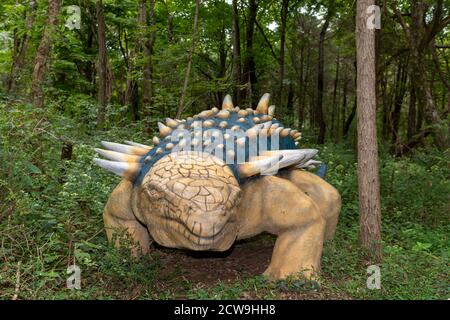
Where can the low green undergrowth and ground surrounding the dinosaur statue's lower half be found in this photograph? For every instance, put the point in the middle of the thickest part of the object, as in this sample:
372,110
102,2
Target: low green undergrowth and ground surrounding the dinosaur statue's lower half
51,217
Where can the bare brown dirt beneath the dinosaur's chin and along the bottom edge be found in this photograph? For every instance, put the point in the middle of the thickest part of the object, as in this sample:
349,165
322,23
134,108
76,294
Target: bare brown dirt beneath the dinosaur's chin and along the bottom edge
245,259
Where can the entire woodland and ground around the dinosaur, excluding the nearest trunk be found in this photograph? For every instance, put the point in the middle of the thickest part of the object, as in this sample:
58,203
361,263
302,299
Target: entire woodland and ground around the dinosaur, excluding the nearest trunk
133,63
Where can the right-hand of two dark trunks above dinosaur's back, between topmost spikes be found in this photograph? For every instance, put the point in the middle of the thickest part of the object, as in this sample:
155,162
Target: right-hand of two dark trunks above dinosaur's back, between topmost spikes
249,71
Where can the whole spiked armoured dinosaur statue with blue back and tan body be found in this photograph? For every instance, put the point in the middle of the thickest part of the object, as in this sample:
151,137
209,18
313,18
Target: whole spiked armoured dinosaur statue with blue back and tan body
221,176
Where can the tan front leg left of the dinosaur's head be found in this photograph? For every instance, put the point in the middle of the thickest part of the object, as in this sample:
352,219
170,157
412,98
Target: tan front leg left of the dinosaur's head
118,218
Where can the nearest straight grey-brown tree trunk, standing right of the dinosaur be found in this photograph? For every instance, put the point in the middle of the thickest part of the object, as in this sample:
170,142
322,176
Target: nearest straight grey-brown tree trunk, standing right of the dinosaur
368,179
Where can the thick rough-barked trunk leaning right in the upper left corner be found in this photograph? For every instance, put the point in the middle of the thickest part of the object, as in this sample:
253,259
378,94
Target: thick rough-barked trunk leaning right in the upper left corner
43,52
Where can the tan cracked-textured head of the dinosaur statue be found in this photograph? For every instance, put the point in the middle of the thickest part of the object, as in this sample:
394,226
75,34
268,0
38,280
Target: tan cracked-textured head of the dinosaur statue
189,199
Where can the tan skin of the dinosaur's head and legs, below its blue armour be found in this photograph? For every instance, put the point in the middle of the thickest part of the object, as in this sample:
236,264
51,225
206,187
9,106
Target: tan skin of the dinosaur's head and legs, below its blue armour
297,206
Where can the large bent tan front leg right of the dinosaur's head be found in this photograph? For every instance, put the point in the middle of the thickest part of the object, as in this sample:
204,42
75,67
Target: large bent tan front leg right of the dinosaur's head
279,207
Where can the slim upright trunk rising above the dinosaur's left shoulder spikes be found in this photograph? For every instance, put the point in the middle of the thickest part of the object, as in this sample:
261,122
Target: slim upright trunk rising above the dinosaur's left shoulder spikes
102,65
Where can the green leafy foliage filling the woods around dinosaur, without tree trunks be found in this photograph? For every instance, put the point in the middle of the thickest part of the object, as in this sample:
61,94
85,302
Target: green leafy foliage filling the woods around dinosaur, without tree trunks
51,209
